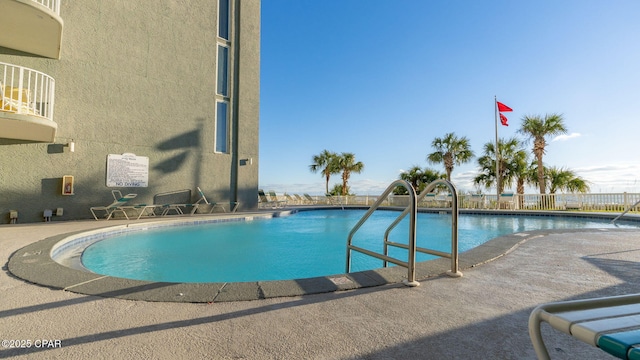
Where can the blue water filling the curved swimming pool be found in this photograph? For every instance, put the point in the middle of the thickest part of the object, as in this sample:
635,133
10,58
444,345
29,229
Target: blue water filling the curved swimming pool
305,244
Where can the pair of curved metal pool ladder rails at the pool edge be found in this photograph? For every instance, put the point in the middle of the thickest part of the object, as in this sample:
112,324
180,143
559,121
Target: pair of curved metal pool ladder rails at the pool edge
412,211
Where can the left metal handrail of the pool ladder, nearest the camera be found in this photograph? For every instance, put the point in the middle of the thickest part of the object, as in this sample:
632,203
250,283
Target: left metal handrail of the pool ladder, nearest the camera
411,208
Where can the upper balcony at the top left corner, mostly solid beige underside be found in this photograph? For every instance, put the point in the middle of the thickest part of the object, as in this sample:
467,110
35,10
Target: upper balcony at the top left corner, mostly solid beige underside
32,26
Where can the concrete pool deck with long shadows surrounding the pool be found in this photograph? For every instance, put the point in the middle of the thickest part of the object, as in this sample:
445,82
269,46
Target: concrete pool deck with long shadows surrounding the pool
481,315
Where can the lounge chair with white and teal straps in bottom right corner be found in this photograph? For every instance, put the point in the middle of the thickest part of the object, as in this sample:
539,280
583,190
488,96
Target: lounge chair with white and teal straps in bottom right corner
610,323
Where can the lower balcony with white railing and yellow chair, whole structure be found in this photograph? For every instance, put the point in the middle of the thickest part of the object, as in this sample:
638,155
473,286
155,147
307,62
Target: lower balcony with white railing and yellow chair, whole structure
26,105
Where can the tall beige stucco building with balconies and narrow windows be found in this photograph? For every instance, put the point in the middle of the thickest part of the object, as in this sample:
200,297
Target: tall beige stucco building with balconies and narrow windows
144,97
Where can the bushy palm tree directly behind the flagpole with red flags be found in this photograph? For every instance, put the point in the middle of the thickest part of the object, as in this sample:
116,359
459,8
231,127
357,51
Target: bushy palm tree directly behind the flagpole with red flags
512,160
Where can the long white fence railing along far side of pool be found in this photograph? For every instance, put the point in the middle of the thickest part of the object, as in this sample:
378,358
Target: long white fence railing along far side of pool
613,202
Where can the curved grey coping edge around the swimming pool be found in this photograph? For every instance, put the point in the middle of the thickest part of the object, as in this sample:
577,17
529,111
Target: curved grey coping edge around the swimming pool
33,263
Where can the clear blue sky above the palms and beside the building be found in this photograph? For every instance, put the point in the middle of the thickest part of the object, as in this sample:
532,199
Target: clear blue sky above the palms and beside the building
382,79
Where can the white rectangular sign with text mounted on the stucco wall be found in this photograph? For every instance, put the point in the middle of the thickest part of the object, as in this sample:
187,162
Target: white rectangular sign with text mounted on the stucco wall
127,170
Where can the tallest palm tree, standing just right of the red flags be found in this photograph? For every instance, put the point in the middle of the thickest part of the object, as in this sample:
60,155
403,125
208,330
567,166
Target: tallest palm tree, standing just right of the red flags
538,129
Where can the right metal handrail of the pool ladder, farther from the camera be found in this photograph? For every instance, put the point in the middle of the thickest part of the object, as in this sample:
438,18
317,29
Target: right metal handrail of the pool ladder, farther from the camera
454,229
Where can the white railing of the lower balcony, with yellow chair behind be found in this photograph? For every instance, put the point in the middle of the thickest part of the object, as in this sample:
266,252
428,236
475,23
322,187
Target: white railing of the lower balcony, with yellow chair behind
25,91
